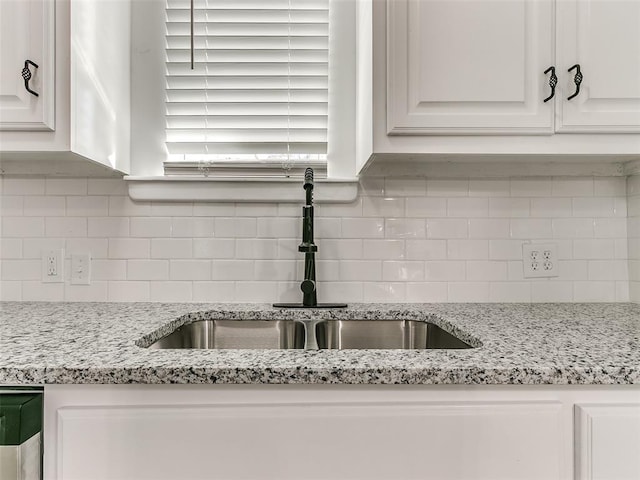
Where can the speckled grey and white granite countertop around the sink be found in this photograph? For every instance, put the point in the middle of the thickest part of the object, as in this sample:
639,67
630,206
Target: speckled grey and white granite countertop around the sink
45,343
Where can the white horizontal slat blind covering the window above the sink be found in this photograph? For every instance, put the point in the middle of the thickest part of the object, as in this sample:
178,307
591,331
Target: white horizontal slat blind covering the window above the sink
257,93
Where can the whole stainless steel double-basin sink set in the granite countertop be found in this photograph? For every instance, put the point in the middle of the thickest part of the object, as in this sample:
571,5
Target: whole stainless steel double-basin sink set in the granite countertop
323,334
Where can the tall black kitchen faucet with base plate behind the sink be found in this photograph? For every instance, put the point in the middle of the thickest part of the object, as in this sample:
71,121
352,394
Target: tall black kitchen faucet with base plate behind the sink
308,285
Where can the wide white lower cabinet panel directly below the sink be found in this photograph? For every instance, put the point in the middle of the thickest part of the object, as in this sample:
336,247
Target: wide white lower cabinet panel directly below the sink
307,439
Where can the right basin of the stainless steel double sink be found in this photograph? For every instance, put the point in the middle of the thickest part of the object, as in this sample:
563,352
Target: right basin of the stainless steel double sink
382,334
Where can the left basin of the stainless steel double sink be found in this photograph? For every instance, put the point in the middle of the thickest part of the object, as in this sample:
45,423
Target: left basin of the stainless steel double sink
223,334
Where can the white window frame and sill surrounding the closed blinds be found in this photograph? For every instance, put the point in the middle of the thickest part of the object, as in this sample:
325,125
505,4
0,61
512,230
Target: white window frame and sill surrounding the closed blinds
148,152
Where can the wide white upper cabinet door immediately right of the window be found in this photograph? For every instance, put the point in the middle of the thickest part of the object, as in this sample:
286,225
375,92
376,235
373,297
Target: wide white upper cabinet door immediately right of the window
469,66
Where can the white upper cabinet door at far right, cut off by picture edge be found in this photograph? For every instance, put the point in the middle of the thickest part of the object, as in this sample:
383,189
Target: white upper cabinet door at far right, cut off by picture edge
603,37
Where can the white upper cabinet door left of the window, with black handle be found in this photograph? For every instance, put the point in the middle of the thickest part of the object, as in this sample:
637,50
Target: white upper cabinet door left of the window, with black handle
27,32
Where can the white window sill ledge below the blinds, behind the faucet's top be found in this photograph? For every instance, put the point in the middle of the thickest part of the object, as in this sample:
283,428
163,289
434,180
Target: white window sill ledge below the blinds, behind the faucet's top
262,190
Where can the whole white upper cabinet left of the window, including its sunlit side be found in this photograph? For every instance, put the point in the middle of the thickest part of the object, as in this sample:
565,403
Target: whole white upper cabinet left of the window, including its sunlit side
83,51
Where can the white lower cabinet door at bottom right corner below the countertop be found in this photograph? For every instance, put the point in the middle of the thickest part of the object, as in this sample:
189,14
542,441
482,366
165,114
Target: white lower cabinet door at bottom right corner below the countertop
607,441
